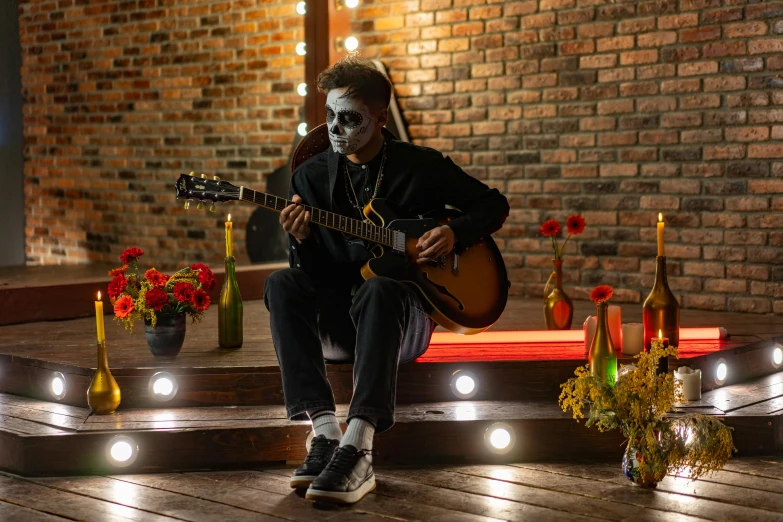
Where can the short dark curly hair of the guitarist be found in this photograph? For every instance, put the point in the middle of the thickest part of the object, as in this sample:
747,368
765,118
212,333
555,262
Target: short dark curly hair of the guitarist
361,78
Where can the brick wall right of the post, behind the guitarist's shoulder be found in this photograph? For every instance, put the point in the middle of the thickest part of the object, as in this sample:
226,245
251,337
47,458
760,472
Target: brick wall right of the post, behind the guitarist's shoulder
617,110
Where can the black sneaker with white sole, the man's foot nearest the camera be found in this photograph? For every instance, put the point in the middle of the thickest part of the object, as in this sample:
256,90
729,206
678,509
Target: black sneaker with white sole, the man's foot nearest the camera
347,478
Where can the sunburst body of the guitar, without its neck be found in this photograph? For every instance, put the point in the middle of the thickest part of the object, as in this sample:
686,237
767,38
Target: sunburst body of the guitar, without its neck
467,292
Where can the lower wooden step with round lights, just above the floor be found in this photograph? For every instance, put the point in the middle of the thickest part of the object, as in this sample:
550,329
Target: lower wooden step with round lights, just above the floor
45,438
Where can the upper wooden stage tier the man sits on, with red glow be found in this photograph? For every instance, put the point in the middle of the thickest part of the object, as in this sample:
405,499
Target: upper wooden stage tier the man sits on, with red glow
209,376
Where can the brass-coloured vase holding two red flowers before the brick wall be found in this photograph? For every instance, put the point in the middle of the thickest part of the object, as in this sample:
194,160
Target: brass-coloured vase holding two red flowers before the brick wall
558,308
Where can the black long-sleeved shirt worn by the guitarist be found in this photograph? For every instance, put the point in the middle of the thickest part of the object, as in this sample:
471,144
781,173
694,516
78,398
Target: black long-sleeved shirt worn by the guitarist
416,181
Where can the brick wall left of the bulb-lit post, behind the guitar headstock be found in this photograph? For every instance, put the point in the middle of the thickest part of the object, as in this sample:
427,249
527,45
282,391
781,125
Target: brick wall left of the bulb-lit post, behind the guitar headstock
123,95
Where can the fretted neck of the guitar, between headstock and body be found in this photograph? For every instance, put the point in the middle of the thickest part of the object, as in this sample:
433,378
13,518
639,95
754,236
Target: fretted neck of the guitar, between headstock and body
326,219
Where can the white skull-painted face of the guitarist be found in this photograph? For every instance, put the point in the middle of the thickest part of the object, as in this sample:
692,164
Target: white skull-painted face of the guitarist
349,120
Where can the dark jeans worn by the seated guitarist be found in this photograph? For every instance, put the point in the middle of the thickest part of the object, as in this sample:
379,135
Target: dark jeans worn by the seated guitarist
382,325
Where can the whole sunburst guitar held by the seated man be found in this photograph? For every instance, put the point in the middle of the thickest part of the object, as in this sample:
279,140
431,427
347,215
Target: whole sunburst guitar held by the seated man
467,291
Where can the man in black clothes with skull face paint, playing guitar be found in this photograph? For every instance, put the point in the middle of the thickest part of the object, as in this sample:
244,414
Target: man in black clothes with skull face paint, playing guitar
321,309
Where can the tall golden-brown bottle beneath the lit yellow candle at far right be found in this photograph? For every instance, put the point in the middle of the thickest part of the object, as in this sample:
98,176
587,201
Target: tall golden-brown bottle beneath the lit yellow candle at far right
661,311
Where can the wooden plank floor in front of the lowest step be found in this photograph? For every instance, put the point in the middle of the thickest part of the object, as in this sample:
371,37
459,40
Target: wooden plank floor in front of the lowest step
749,489
